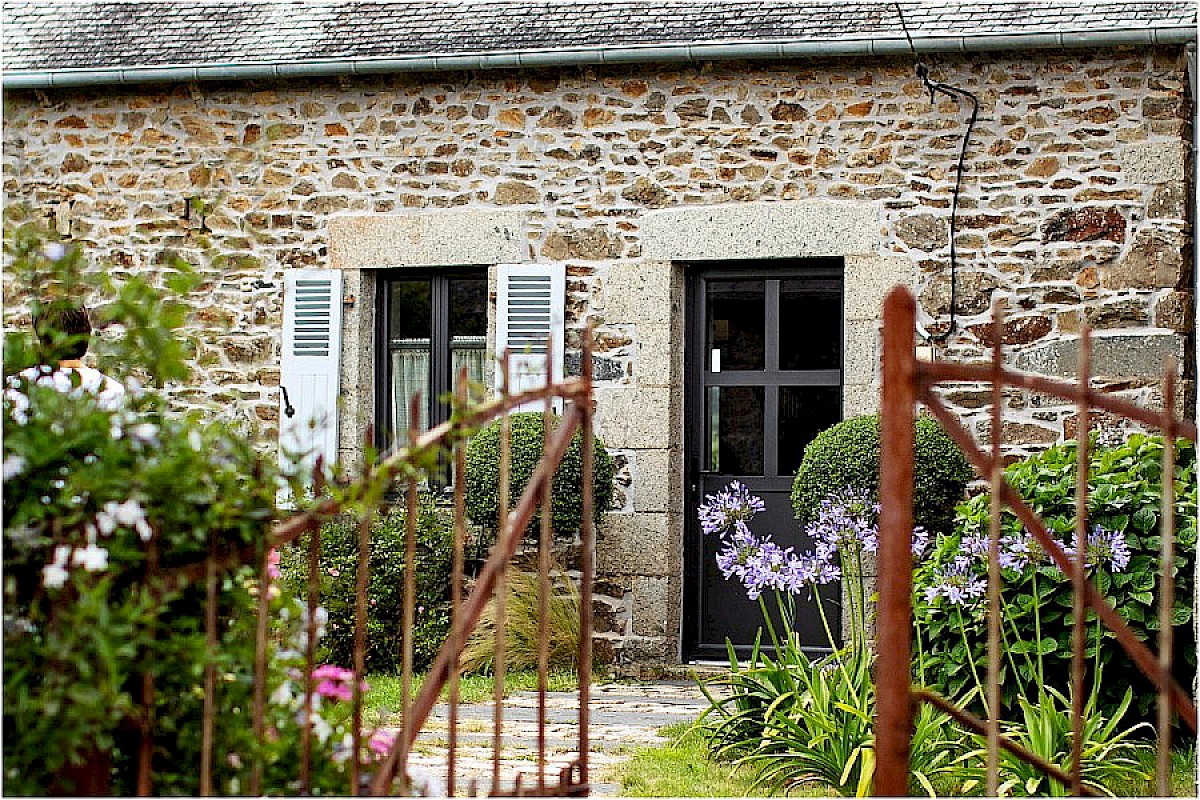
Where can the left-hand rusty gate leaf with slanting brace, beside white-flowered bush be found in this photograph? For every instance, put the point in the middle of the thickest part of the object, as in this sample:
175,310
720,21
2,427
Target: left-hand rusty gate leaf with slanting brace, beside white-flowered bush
391,774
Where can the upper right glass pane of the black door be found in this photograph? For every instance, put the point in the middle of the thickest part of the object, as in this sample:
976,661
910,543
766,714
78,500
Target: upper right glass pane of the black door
811,324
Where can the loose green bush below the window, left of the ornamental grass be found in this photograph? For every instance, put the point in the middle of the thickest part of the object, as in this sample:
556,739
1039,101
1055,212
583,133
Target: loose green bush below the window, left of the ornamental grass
386,588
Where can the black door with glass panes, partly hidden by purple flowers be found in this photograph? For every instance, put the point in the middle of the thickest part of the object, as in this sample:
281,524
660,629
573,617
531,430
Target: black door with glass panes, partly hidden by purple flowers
764,363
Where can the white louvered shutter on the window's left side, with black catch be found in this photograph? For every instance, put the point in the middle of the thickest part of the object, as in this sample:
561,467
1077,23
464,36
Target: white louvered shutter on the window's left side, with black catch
311,366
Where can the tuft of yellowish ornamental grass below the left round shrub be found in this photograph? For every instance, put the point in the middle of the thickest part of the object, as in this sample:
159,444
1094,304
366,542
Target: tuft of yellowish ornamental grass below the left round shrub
523,625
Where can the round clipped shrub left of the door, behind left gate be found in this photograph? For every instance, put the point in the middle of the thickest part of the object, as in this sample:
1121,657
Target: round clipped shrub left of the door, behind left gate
484,476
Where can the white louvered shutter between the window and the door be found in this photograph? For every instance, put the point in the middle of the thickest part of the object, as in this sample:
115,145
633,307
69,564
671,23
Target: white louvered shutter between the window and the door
531,303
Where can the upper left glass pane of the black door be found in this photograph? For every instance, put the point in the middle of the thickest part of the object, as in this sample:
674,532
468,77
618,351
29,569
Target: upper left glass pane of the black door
737,324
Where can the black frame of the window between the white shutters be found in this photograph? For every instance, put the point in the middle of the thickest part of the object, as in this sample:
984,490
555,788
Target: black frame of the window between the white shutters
442,382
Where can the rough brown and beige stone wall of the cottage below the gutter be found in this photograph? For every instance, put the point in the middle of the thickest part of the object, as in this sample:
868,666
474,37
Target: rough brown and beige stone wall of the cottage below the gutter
1075,208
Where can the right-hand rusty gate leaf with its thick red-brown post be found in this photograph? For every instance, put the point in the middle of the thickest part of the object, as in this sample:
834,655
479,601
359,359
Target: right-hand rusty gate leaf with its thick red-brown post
909,382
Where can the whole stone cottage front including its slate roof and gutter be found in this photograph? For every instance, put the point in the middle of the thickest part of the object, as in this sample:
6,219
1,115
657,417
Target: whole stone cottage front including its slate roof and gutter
634,149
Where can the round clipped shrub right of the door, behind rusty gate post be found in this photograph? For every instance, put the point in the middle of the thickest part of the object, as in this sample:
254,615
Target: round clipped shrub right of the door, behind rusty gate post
848,455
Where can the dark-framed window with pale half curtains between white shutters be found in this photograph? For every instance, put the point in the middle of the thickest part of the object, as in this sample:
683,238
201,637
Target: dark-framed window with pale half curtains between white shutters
431,326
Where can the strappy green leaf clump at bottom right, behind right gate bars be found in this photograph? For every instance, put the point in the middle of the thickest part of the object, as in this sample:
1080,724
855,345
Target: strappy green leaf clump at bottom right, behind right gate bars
1109,754
